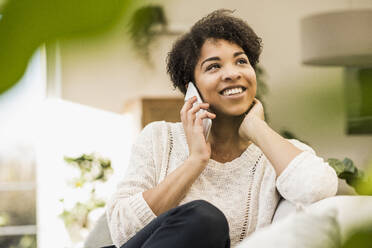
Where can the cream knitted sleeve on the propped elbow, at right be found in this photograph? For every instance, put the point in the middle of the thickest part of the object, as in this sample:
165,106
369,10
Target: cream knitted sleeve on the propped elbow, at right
307,178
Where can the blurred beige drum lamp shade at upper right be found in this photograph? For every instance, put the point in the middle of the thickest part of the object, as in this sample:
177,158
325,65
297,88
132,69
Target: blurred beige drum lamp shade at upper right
337,38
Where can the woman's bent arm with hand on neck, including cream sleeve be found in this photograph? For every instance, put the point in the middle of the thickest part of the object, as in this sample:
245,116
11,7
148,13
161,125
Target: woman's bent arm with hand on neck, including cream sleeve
302,177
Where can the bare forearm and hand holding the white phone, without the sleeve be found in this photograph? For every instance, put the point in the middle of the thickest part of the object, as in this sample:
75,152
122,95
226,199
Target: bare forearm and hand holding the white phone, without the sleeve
174,187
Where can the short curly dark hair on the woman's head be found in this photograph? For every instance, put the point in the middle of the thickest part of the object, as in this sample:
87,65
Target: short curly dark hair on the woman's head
219,24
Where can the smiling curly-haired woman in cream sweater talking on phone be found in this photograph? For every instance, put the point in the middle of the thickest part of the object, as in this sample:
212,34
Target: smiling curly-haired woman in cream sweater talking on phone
182,190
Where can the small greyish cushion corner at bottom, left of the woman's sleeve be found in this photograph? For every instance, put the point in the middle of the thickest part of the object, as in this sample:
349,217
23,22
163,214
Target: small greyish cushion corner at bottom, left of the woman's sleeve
100,235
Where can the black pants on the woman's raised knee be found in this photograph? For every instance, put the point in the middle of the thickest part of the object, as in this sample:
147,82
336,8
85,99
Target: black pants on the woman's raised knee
195,224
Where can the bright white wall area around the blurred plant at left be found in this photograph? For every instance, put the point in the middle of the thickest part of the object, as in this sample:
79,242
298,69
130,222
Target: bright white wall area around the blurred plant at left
70,129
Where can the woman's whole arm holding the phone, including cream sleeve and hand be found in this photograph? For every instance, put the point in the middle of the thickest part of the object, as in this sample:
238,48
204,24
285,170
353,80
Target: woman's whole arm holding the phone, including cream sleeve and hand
139,199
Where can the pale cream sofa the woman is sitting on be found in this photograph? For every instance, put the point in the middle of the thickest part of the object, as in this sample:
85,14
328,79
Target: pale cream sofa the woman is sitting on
327,223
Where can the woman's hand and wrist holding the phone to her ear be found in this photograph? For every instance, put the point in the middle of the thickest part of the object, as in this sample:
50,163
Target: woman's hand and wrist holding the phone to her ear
199,148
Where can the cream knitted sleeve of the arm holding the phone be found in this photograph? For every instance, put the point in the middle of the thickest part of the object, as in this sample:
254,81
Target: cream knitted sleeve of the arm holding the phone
127,212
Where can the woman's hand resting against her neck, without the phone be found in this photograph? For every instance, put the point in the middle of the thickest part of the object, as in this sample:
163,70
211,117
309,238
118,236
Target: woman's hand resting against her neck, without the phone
248,126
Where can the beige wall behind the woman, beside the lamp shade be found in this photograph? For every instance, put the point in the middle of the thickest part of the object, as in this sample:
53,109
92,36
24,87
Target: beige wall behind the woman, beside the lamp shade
309,101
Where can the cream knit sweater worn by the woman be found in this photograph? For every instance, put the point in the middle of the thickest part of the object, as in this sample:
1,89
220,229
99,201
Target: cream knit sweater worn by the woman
246,189
